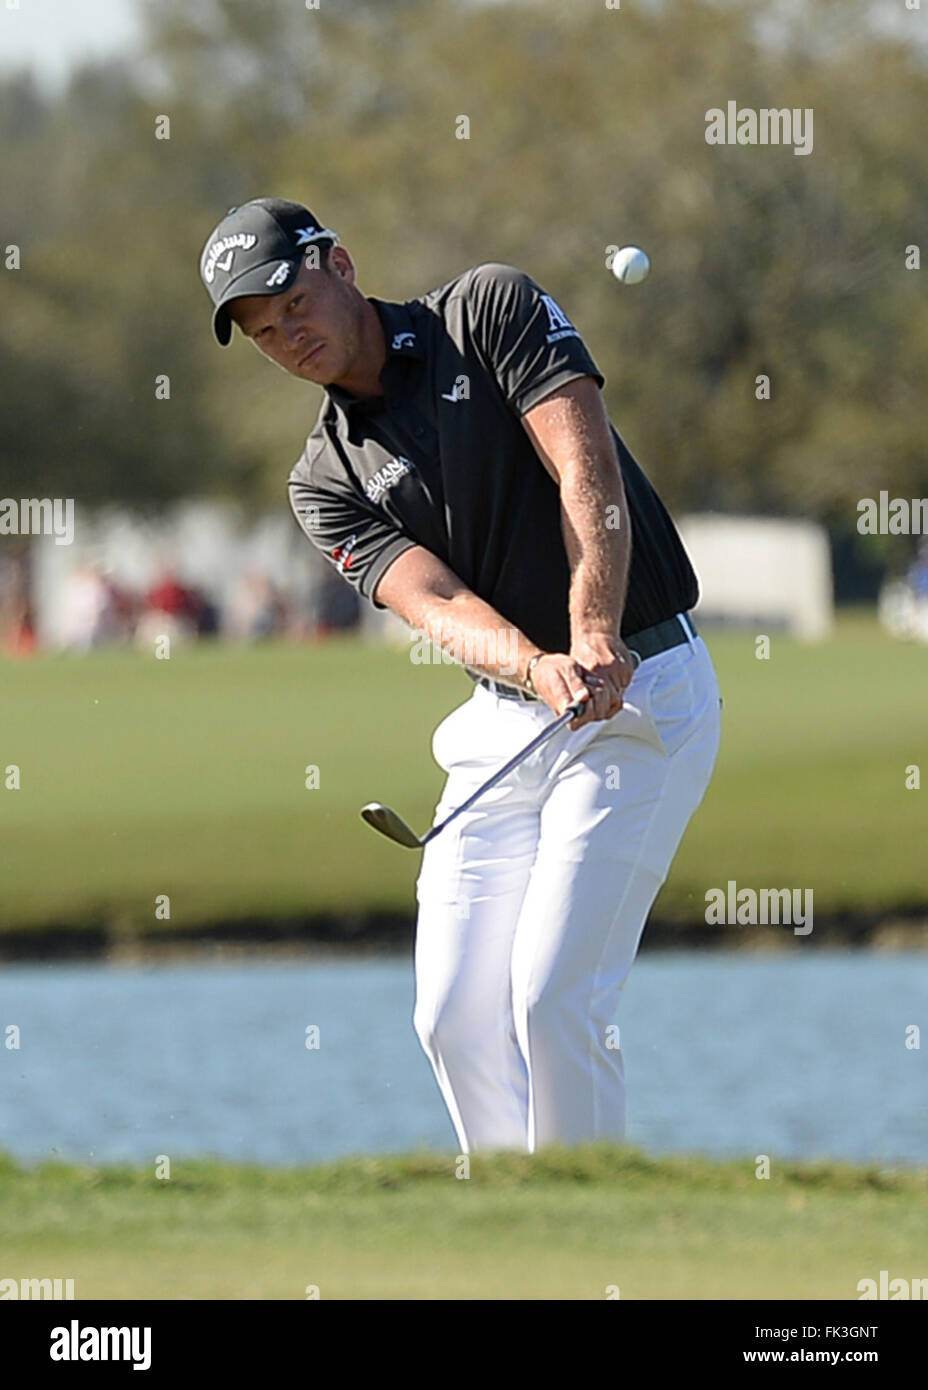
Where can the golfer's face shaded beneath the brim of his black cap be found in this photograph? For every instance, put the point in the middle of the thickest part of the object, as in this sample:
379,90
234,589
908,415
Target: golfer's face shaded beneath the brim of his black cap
315,329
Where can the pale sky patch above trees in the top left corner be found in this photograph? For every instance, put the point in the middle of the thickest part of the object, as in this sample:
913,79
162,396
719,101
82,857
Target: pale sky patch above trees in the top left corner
52,35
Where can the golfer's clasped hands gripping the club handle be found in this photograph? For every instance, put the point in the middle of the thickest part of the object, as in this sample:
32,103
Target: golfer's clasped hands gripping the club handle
598,671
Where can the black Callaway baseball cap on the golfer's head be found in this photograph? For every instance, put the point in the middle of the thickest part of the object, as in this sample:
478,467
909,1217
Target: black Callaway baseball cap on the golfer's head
258,250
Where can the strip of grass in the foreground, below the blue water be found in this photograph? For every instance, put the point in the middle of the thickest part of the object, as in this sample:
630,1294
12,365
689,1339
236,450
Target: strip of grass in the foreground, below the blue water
562,1224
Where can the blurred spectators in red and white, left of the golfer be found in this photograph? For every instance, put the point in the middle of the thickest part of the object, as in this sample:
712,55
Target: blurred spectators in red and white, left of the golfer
97,611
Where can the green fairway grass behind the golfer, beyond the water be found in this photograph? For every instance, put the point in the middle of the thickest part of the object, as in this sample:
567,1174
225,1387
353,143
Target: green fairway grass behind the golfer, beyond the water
187,778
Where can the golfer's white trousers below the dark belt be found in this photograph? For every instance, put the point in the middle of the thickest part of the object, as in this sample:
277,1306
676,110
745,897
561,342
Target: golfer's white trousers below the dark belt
533,904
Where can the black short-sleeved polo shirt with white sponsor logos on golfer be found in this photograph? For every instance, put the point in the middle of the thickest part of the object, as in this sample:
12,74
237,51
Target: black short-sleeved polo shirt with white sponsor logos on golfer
442,461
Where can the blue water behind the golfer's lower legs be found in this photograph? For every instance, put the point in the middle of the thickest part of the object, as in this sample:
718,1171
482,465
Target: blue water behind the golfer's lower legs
799,1056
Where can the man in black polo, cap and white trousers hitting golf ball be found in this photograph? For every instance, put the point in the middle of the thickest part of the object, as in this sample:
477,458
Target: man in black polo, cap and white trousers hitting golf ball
463,473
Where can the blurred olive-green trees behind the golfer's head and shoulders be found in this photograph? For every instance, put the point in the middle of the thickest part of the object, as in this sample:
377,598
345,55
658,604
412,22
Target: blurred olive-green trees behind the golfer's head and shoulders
587,130
